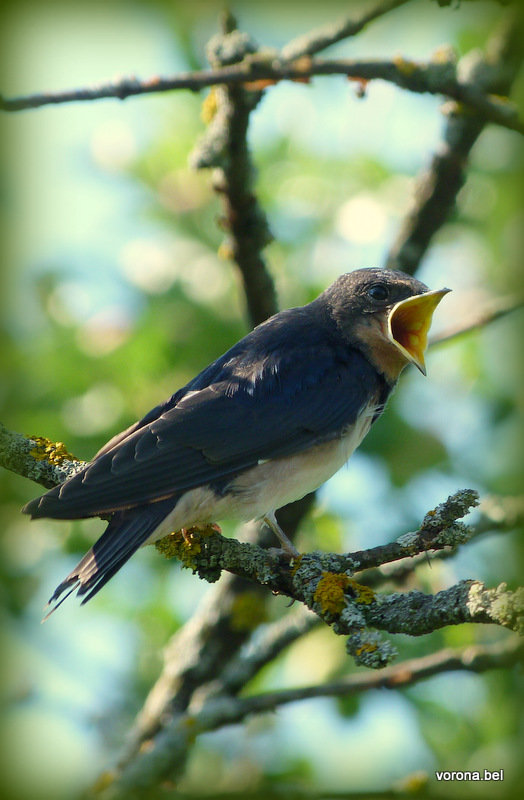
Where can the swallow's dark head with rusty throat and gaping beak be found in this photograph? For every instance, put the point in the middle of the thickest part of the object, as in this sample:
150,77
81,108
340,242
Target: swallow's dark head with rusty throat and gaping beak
387,314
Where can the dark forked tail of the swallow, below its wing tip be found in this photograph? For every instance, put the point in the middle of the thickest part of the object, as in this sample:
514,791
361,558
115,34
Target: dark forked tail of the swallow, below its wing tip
126,532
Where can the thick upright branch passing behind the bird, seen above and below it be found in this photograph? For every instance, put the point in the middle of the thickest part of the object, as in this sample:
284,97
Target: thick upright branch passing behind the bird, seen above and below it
201,651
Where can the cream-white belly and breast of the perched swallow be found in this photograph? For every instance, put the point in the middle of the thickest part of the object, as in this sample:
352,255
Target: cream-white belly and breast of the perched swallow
268,486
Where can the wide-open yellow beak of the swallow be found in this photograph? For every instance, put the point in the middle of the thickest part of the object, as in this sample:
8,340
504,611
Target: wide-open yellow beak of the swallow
409,322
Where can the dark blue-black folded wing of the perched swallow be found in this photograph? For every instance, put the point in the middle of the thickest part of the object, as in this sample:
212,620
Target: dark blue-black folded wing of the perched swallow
253,409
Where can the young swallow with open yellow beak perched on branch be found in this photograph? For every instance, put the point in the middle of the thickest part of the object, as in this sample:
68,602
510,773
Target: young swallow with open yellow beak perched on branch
263,425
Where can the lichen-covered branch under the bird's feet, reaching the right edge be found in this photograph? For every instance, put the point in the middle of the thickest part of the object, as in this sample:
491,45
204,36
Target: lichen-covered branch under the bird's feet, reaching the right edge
342,602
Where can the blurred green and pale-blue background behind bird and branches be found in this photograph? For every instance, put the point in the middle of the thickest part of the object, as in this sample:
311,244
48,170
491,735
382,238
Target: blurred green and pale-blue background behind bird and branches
114,295
